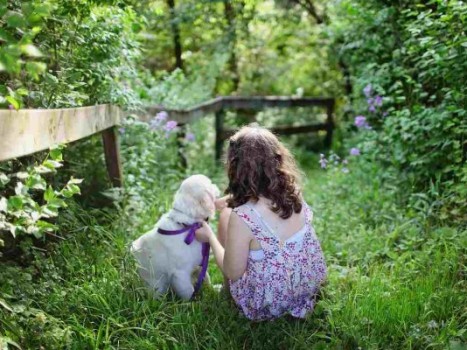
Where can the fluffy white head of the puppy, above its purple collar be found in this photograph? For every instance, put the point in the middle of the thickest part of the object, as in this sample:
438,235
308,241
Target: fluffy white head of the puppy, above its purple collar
196,197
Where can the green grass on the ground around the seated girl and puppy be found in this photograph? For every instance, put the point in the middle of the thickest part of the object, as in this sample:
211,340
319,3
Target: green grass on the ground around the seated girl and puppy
396,281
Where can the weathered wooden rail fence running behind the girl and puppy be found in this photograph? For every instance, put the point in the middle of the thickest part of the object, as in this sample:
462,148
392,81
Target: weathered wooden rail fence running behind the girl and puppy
28,131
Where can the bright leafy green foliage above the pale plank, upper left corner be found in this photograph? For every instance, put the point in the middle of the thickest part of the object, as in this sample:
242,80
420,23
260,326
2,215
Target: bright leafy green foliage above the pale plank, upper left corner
90,52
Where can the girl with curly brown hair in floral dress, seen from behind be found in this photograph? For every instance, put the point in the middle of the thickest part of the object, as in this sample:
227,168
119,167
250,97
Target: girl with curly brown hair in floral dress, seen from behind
267,247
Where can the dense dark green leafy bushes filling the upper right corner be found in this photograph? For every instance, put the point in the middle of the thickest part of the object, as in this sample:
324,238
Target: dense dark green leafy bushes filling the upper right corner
418,64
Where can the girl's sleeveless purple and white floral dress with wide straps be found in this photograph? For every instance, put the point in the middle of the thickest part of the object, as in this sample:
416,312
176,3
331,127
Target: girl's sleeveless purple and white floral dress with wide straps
286,277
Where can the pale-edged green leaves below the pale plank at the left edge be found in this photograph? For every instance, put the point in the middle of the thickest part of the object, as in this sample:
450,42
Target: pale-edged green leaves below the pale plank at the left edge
27,203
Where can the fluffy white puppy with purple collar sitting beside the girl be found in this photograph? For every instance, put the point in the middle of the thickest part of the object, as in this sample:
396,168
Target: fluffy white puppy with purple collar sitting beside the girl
166,260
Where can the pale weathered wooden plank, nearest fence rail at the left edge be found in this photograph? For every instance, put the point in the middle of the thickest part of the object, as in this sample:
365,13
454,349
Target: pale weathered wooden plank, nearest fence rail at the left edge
31,130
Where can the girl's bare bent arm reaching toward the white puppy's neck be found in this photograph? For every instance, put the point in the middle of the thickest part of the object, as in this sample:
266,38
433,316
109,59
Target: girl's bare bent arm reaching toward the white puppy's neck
232,260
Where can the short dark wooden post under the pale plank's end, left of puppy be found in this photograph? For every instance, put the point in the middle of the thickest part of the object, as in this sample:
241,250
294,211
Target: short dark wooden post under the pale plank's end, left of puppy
112,156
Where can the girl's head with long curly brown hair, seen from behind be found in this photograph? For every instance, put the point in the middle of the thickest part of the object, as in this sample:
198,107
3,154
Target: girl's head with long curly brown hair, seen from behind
258,164
